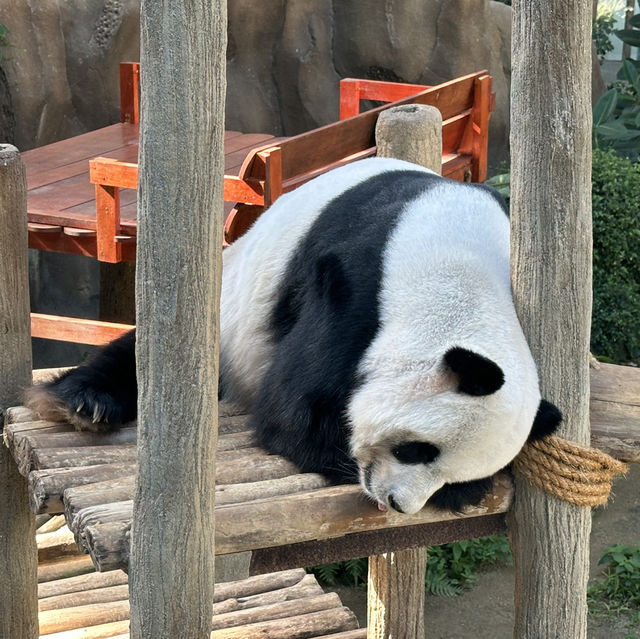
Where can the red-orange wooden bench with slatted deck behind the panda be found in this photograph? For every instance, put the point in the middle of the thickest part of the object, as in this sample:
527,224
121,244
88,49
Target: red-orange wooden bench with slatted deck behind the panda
66,214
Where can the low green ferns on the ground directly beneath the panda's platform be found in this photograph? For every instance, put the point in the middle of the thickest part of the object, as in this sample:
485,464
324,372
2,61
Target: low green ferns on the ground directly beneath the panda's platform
450,568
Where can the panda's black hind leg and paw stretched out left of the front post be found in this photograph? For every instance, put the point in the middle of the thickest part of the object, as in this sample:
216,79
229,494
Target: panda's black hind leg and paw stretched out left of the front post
98,396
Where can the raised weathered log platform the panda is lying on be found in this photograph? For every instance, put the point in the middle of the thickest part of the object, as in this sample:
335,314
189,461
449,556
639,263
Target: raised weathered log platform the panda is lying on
264,505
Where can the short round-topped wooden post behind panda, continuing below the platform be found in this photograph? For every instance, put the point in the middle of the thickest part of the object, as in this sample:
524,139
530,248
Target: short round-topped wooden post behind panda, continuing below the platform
395,589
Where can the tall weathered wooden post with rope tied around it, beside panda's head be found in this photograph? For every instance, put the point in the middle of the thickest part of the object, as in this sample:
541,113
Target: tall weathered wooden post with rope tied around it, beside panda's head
551,273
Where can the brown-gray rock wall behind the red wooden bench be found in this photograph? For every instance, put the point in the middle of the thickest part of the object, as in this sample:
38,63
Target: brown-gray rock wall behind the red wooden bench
285,59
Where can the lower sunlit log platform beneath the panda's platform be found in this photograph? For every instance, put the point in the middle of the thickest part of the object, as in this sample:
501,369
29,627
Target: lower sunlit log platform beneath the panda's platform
289,604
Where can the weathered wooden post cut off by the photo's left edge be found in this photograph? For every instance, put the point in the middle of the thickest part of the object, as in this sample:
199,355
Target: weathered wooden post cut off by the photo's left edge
18,553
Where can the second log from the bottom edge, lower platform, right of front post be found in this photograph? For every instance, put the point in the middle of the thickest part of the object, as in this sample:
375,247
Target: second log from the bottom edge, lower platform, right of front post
298,627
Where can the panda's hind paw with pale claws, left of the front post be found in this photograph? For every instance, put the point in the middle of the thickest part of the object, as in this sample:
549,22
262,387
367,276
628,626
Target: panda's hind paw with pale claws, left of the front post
85,399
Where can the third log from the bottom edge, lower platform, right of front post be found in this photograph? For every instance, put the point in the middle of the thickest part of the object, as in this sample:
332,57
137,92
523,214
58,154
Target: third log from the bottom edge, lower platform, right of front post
278,610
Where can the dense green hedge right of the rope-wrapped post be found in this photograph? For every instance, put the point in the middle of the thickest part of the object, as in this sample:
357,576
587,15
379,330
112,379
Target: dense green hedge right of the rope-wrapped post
615,330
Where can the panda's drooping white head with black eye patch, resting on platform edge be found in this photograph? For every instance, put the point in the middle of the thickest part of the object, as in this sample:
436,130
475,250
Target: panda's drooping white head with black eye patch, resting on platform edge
416,426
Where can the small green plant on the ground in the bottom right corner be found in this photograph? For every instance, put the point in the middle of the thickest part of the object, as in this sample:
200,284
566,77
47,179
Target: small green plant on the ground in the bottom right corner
619,591
